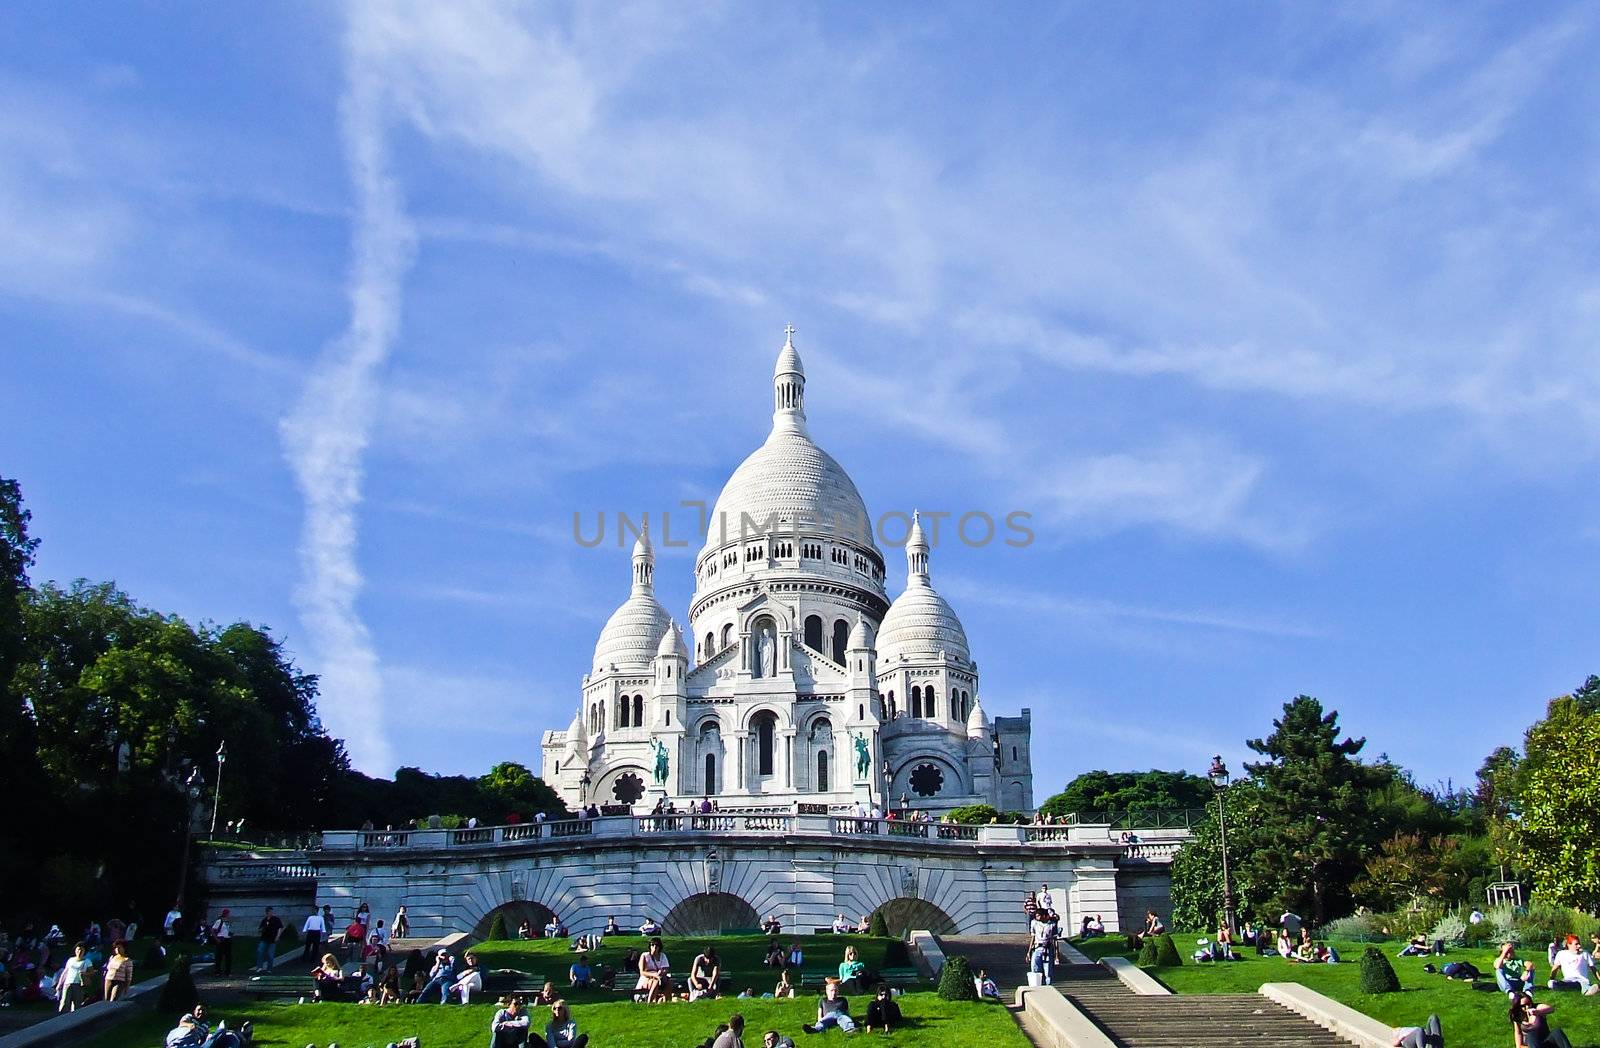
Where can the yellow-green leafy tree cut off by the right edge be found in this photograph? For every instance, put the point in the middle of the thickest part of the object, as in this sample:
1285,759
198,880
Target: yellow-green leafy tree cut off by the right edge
1559,798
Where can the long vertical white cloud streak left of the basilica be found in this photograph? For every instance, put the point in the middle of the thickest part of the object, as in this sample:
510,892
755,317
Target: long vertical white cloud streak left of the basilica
327,433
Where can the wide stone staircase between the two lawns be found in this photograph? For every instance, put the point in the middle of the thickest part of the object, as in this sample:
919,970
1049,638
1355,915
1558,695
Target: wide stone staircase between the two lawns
1137,1022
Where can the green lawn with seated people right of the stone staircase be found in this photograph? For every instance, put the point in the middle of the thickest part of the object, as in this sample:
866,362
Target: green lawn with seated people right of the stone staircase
1471,1015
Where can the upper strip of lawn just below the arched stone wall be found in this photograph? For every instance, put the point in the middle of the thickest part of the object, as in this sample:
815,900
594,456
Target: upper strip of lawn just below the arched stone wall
742,958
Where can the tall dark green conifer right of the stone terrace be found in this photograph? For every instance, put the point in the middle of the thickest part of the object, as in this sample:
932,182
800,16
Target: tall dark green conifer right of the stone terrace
1314,810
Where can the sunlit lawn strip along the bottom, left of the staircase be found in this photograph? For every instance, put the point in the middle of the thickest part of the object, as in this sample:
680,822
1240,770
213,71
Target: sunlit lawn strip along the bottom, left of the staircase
932,1023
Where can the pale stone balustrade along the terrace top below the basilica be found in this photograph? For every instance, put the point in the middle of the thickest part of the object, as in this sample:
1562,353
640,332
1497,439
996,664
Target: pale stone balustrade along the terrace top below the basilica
748,823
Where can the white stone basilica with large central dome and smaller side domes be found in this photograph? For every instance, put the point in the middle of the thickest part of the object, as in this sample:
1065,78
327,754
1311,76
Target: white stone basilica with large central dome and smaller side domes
807,686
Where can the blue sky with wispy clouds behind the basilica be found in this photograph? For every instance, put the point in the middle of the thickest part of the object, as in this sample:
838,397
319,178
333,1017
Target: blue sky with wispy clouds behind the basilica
1281,321
